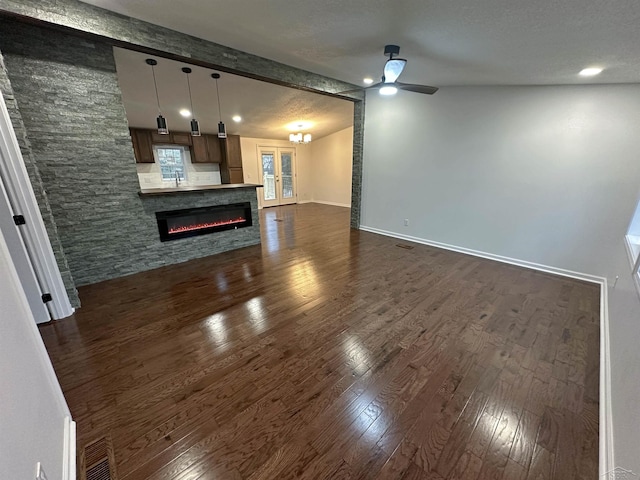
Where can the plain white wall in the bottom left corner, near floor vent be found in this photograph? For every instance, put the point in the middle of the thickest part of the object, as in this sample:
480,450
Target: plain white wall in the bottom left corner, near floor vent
32,408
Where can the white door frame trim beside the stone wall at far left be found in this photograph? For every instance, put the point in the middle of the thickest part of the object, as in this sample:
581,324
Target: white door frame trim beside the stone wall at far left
23,200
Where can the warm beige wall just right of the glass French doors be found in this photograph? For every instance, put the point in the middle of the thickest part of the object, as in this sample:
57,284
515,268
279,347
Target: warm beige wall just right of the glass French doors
332,160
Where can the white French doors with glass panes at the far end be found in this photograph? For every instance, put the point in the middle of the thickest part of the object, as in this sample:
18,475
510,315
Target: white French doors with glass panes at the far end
277,167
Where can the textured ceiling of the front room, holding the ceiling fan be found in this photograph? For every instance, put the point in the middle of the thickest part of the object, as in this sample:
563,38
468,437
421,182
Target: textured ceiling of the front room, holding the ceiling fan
447,42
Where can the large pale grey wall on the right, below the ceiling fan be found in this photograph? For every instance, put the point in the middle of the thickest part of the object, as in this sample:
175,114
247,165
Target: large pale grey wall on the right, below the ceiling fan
549,175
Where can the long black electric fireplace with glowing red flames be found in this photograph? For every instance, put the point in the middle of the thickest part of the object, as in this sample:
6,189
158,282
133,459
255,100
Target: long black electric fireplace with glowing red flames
203,220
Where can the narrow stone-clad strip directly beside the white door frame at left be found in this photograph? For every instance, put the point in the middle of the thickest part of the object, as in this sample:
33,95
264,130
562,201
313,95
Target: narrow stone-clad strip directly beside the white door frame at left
37,185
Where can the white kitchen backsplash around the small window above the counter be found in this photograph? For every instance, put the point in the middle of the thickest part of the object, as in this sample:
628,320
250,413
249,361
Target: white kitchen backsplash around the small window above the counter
198,174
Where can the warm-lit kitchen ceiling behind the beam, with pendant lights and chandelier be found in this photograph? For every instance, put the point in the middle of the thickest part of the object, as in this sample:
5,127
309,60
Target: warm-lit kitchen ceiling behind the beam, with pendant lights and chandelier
266,109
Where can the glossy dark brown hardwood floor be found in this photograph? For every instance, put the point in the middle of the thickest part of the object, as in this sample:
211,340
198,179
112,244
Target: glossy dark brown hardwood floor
330,353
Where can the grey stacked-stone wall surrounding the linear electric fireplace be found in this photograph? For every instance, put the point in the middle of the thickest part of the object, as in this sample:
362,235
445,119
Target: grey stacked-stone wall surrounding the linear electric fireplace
68,96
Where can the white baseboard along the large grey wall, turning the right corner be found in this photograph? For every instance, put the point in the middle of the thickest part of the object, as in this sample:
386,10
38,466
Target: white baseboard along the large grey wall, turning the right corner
606,446
